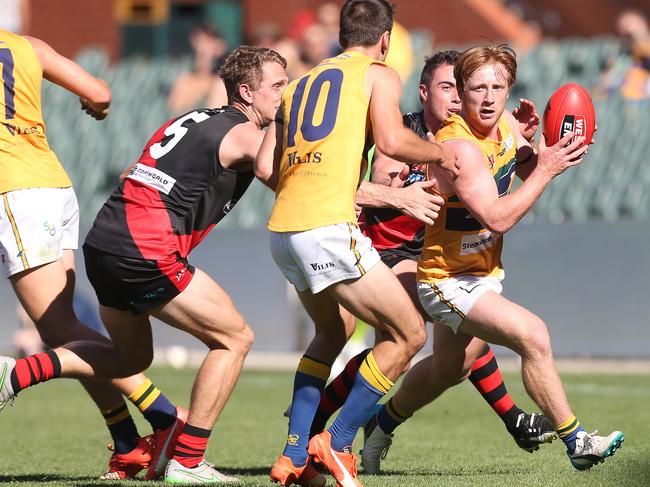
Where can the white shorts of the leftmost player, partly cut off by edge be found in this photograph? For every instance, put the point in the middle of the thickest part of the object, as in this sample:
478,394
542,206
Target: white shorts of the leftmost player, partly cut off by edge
36,226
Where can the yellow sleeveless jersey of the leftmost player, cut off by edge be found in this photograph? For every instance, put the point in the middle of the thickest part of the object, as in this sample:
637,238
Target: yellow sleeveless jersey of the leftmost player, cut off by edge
26,160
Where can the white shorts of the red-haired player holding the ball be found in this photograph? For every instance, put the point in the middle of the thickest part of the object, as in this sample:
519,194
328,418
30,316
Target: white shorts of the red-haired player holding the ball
450,300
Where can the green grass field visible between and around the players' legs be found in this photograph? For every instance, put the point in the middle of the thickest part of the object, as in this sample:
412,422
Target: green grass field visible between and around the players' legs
53,435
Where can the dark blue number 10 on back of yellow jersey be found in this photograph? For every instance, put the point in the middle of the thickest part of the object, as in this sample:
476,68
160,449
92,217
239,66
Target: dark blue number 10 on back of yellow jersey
309,131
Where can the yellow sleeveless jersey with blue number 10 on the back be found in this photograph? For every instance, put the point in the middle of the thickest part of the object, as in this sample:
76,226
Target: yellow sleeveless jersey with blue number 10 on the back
325,128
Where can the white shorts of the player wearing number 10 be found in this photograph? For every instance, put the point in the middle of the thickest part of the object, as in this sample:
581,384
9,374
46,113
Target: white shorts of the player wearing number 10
318,258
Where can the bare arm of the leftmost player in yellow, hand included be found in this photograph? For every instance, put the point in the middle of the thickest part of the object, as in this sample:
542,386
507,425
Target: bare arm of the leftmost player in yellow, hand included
95,95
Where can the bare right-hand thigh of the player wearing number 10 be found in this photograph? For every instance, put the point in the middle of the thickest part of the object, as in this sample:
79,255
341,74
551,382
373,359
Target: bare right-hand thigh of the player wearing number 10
379,299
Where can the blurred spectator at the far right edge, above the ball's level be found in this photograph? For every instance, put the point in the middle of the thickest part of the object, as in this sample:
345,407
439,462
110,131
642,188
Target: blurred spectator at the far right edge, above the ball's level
629,72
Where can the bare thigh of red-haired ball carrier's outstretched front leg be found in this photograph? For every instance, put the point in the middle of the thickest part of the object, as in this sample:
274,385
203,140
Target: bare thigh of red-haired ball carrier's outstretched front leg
498,320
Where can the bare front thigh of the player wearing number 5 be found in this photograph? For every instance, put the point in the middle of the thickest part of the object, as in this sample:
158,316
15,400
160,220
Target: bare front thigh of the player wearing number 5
205,310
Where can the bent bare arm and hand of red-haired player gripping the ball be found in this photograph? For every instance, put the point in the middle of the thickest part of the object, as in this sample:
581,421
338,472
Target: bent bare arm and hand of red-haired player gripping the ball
475,185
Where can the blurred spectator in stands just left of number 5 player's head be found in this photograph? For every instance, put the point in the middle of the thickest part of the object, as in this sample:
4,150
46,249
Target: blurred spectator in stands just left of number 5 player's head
201,87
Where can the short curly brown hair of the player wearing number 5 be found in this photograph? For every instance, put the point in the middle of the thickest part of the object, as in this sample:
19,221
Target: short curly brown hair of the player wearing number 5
244,66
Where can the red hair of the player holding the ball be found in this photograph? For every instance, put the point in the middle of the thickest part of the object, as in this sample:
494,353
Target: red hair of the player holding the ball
477,57
